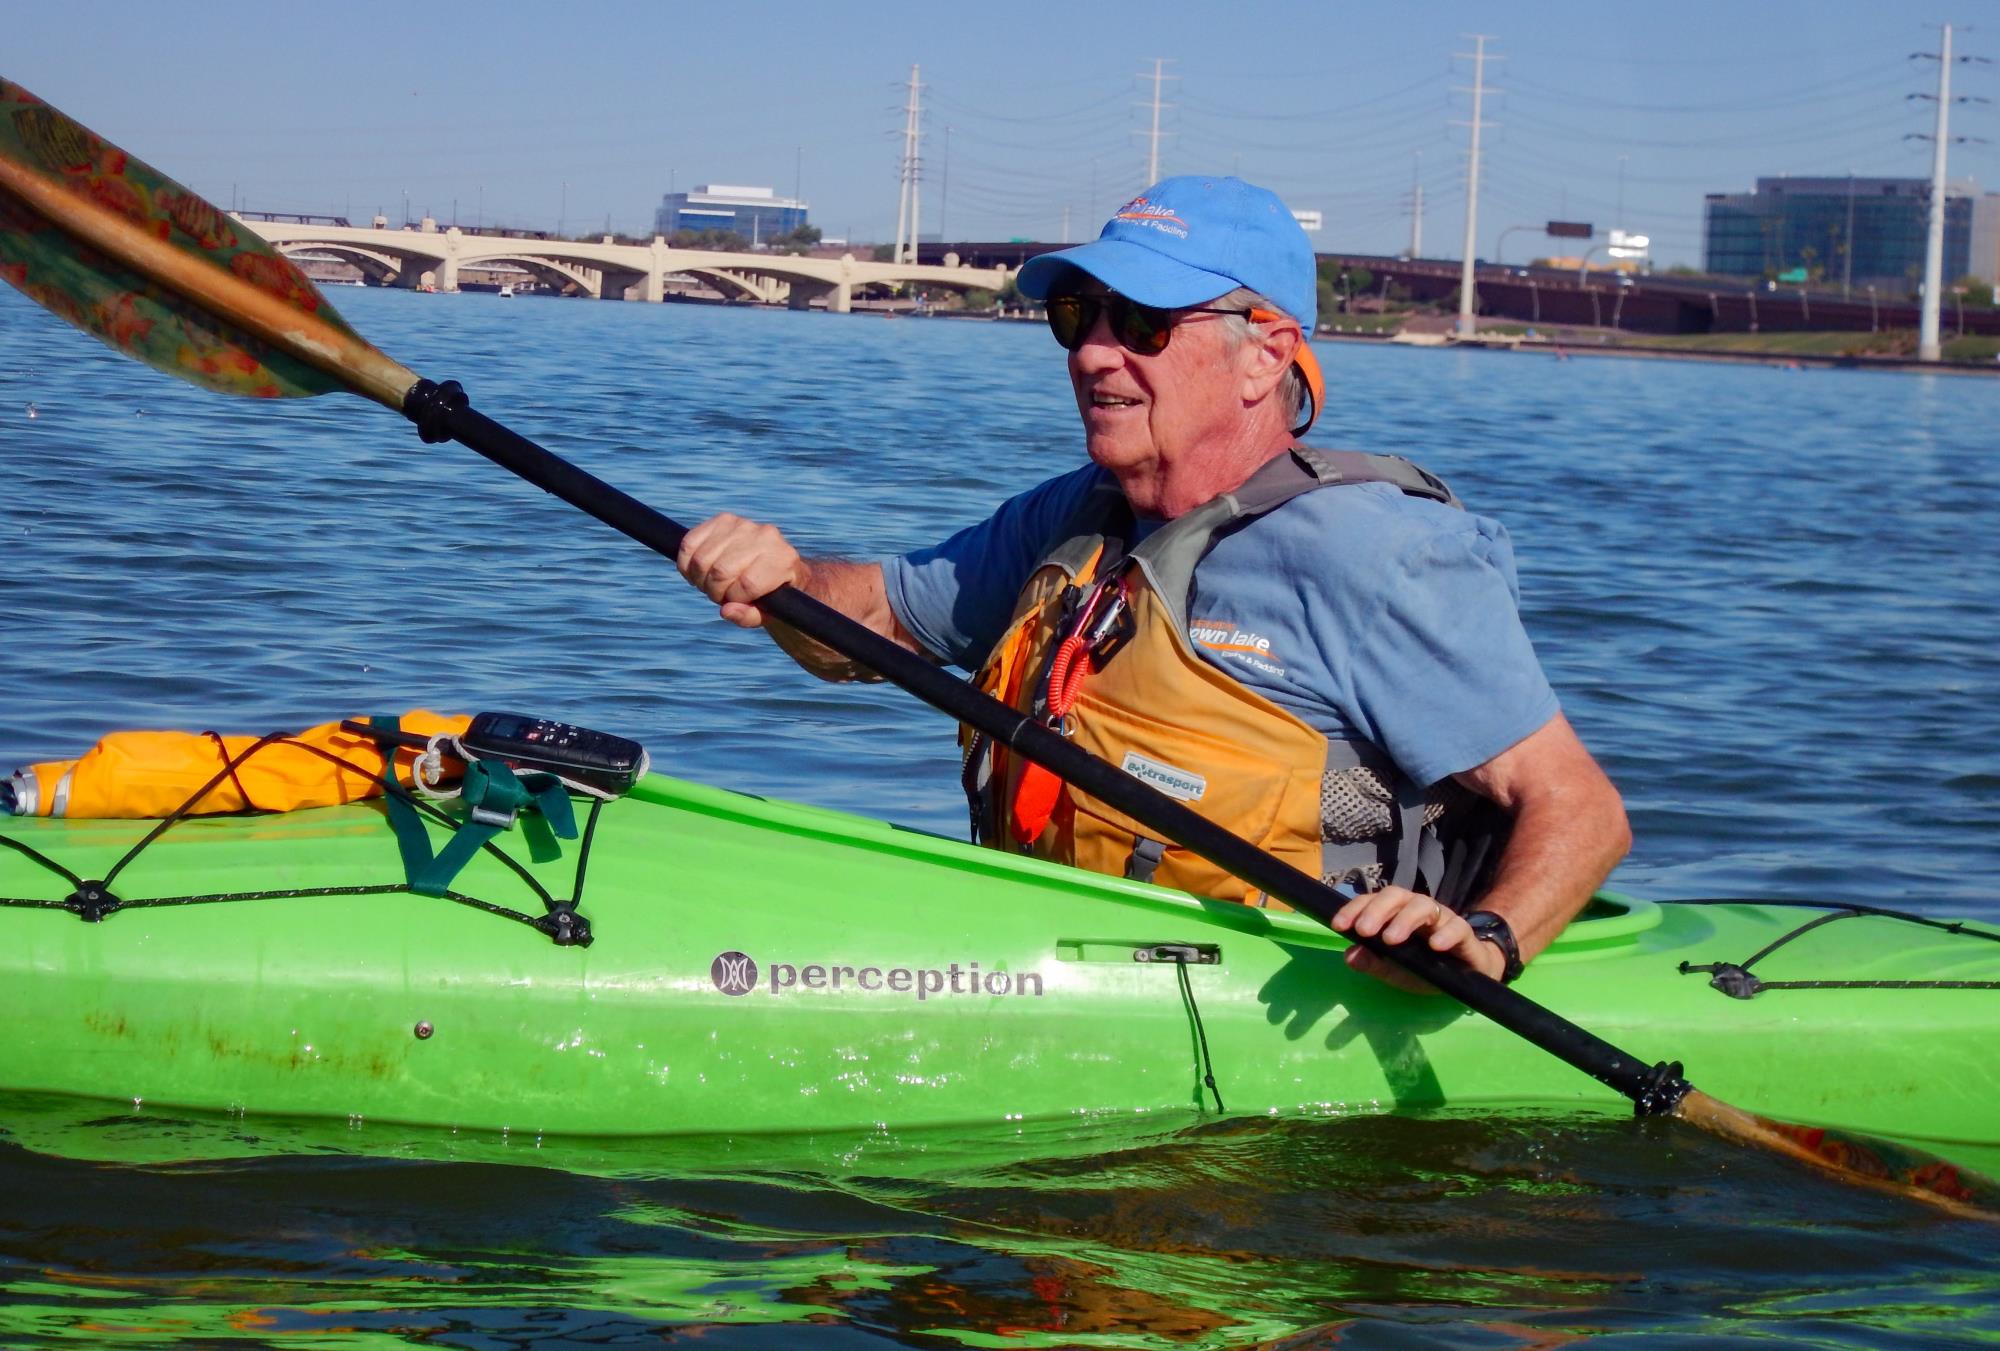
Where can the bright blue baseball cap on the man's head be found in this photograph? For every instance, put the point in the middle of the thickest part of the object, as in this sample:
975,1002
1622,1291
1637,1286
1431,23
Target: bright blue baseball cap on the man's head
1193,239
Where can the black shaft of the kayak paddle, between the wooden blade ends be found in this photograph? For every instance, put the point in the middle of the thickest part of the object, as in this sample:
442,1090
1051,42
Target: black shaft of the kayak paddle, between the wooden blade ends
443,413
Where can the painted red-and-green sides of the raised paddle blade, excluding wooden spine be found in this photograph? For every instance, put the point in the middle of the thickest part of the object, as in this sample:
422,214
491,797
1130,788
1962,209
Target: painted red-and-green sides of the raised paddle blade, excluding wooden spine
127,311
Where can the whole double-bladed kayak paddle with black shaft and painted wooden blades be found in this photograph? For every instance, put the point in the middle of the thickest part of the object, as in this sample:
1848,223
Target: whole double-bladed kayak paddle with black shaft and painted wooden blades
129,255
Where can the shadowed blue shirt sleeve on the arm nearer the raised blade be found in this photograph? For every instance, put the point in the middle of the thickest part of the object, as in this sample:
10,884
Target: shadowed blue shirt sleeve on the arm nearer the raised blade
957,597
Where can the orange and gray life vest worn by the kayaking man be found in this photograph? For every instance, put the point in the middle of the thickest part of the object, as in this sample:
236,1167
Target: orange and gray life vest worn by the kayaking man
1099,649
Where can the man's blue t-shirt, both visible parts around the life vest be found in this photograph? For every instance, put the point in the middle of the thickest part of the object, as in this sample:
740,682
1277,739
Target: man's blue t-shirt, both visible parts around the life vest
1365,613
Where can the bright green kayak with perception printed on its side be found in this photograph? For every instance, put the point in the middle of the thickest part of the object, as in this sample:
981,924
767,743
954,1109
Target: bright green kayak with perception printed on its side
759,966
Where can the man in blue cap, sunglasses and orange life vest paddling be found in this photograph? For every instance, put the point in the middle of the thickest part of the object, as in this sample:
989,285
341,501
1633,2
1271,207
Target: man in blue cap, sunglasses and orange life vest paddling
1319,651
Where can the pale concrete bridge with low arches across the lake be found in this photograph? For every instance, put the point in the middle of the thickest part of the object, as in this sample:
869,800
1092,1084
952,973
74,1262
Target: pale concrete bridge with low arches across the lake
609,271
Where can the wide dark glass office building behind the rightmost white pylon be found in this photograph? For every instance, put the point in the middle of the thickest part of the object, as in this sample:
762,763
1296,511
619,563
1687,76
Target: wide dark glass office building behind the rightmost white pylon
1869,231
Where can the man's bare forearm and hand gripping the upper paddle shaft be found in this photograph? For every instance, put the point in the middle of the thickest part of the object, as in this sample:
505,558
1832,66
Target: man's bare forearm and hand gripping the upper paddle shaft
737,561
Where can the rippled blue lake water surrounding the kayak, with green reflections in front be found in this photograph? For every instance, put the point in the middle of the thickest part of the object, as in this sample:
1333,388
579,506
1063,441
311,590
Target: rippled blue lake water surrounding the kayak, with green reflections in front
1765,597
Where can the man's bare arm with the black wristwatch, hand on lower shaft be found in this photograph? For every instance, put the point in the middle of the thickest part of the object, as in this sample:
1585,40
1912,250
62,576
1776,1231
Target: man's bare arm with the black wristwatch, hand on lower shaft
1569,834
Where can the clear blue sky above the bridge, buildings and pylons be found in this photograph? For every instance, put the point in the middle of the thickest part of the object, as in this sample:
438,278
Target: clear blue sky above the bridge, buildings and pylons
531,113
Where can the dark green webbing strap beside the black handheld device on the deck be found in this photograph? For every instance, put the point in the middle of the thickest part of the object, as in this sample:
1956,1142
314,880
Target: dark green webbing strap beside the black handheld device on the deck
495,798
